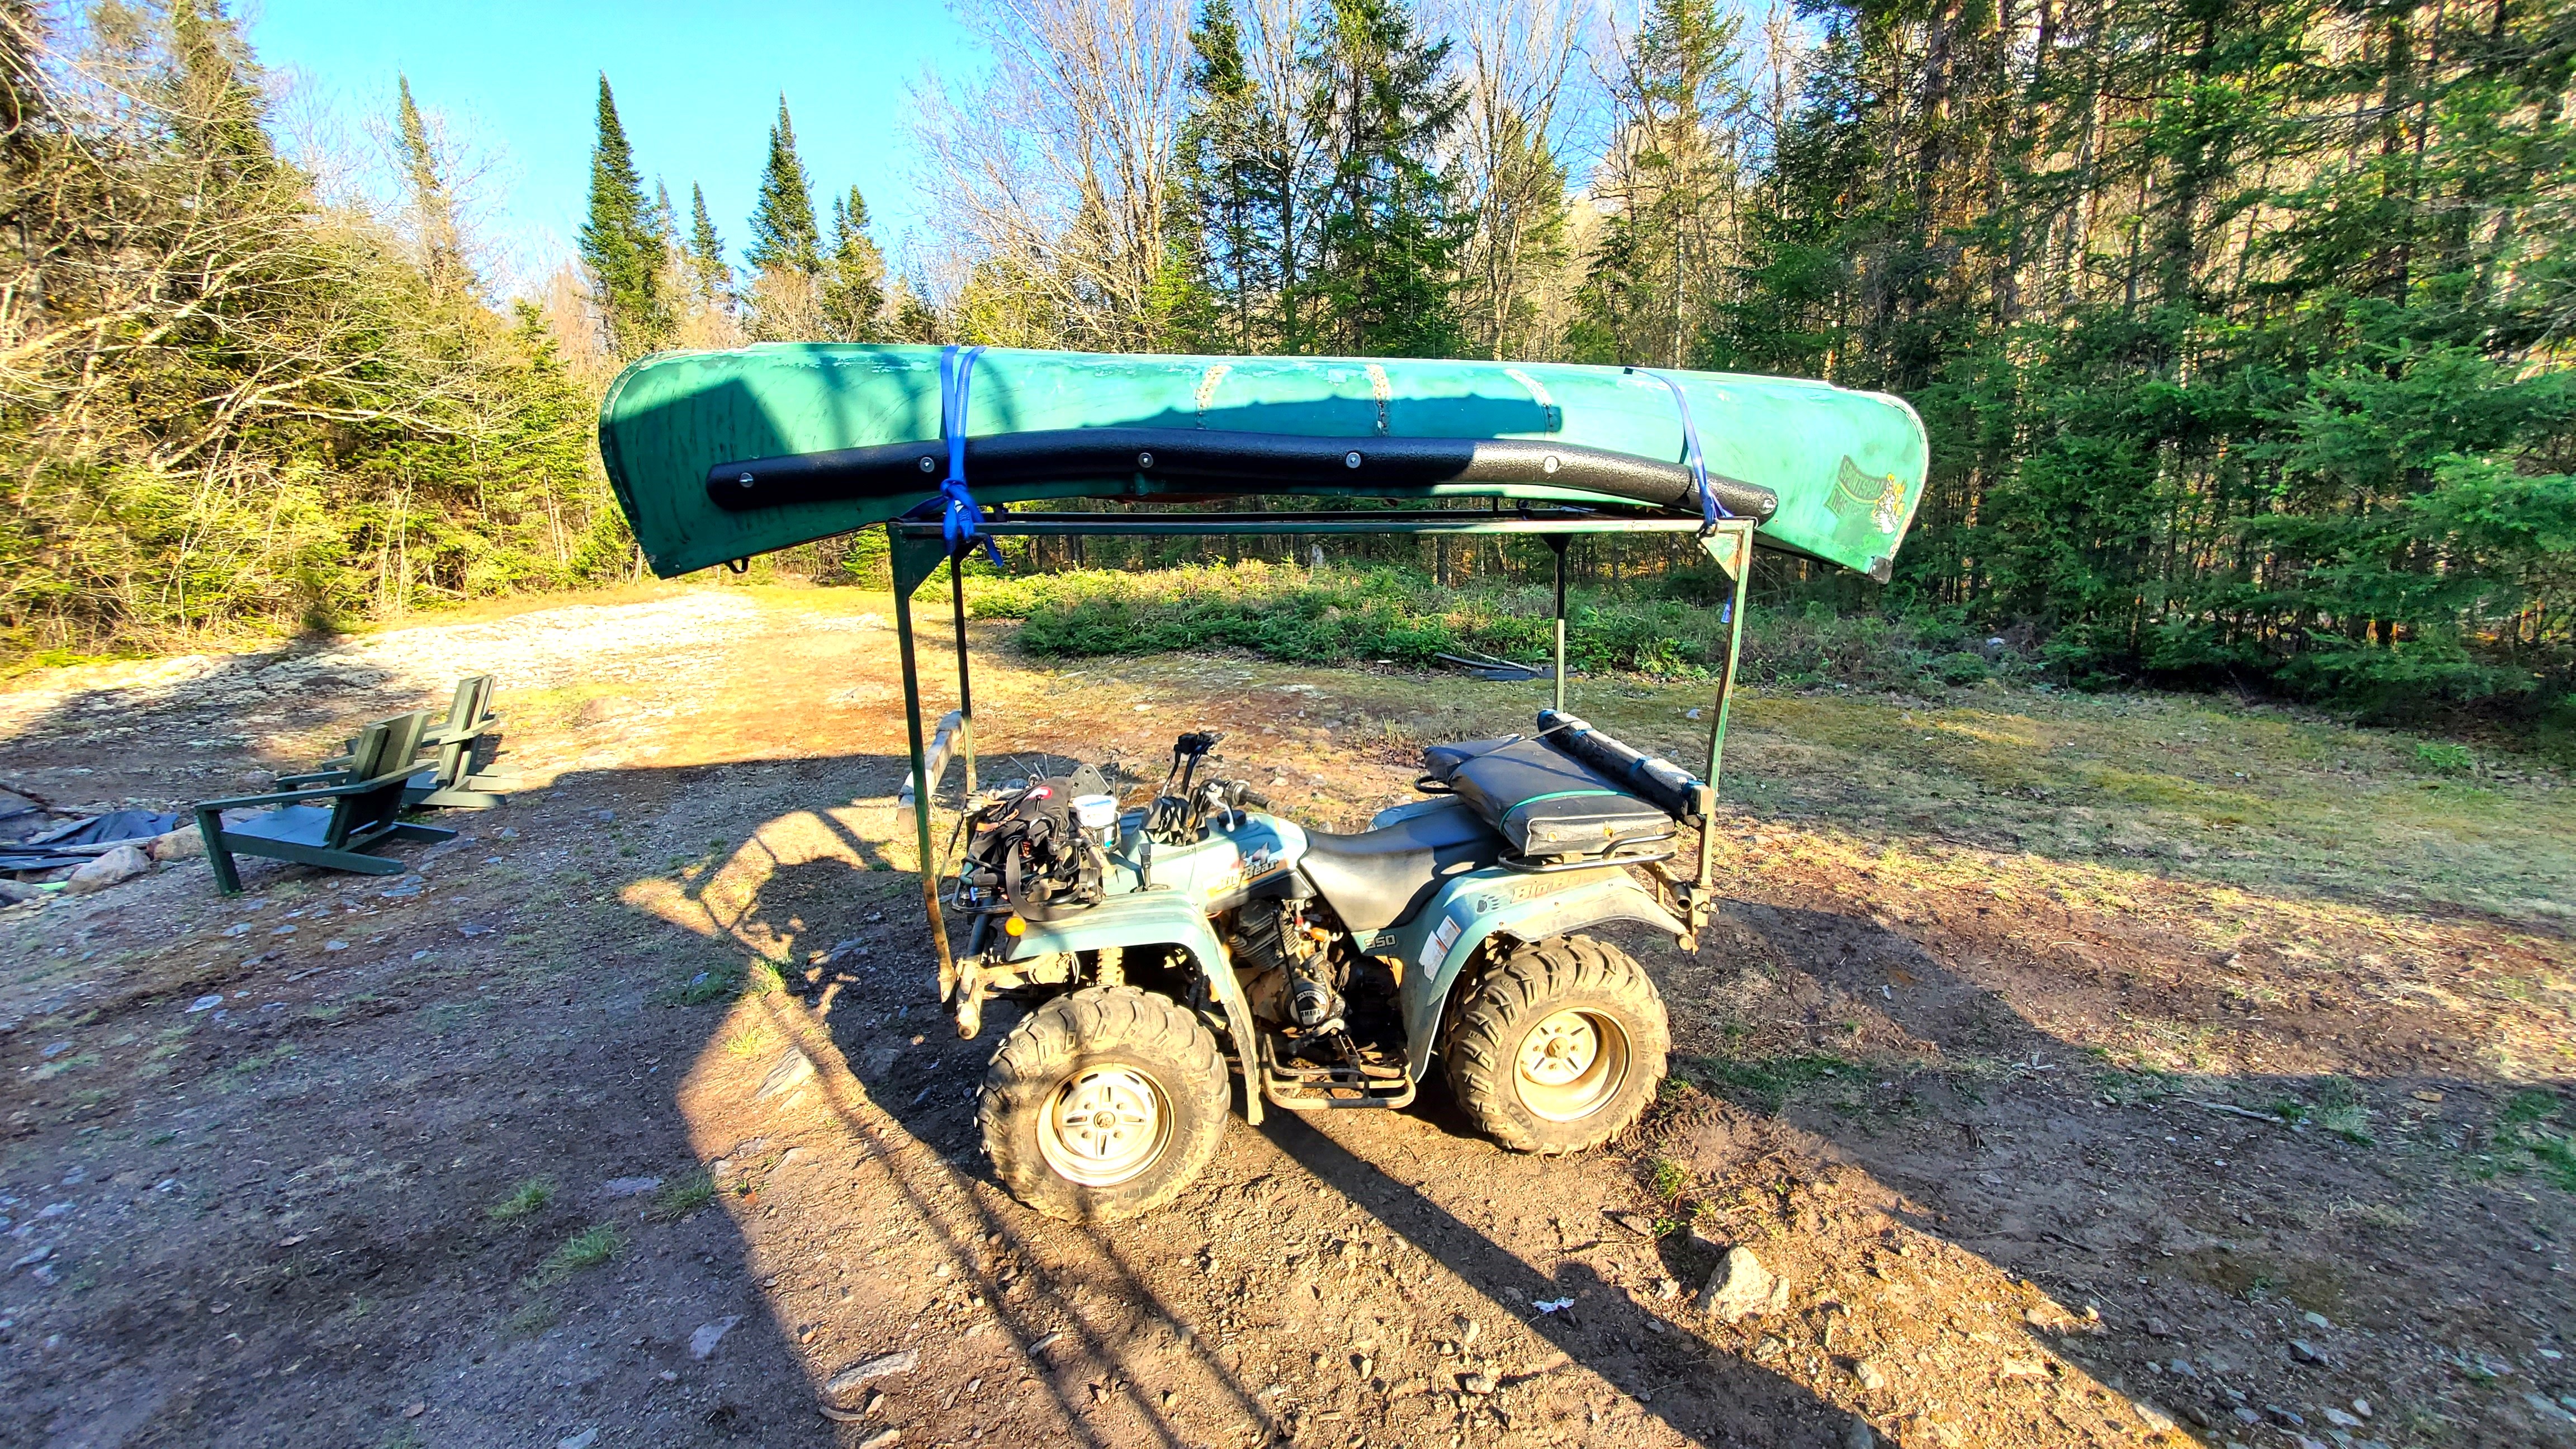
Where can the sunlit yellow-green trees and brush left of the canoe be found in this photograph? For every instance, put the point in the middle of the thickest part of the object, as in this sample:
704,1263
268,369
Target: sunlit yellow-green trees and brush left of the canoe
228,396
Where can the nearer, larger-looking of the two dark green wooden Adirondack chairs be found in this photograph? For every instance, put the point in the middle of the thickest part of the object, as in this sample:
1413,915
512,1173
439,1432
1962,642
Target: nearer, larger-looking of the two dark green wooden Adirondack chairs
328,824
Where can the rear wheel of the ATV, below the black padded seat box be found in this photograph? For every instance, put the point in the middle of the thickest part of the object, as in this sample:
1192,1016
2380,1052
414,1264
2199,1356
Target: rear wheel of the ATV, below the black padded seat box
1557,1045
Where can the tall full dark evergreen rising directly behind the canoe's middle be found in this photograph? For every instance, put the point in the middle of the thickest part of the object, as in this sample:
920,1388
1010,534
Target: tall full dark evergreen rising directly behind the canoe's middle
1390,223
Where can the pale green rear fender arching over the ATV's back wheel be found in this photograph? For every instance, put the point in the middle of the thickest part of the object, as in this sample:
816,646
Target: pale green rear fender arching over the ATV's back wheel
1472,909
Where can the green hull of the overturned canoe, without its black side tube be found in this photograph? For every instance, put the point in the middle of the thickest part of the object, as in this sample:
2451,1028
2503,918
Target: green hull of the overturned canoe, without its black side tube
1848,468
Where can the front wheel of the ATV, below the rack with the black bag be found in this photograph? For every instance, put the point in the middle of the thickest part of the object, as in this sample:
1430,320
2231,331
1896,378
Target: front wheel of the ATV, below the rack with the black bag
1104,1105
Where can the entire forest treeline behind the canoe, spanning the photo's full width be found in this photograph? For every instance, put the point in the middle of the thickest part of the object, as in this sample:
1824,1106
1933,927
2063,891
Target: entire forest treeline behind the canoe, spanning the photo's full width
2240,329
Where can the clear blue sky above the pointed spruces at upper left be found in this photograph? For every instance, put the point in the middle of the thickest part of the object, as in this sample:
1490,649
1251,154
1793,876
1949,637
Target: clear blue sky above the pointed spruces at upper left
697,89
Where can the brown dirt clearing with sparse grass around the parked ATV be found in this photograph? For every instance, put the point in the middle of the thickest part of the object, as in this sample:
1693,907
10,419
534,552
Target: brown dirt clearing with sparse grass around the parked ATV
2088,1069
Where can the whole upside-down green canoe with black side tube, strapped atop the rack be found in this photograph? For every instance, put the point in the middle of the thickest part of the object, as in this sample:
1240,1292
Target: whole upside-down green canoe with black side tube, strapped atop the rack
738,452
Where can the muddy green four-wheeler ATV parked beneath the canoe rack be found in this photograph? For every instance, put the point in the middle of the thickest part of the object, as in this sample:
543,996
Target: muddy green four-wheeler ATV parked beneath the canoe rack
1336,966
